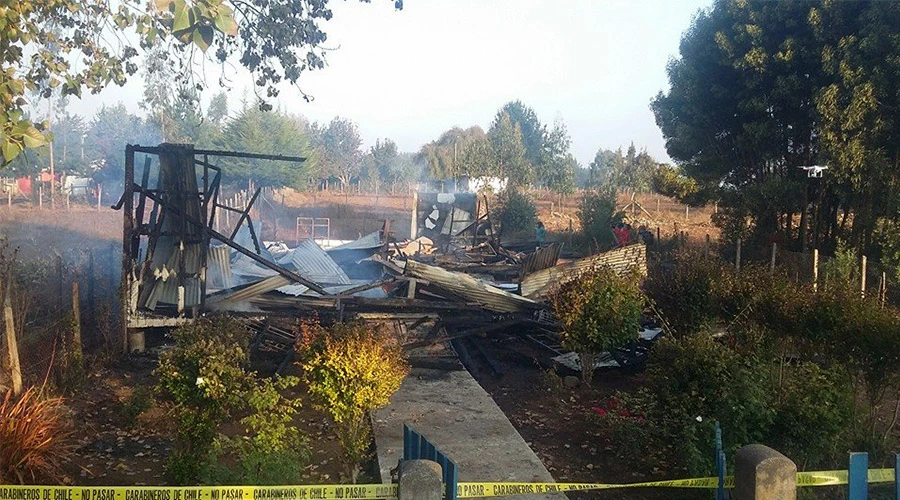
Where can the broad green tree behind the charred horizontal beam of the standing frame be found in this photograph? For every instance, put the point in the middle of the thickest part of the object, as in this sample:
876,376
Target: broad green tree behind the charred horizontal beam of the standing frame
257,131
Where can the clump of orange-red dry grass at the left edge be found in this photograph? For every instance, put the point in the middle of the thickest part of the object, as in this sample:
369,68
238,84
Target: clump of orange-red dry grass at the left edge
34,437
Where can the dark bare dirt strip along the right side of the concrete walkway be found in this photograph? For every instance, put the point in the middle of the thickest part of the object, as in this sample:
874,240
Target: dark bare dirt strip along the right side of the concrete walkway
560,426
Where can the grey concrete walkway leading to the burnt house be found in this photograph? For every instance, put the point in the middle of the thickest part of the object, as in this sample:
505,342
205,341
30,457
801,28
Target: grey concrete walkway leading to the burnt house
452,411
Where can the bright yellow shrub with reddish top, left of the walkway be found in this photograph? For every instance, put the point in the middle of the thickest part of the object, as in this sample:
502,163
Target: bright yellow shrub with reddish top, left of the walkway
350,370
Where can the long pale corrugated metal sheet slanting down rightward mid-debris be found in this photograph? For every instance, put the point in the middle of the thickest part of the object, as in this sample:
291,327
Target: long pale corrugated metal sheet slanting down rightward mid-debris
489,297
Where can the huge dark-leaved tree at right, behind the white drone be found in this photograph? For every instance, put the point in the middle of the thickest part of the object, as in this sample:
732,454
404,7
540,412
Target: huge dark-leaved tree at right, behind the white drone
794,84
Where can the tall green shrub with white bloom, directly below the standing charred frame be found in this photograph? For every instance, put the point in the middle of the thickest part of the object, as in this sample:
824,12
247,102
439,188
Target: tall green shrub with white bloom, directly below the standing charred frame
204,380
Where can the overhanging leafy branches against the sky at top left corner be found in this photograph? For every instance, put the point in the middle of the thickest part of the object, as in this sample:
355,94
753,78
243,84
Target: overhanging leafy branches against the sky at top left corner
62,47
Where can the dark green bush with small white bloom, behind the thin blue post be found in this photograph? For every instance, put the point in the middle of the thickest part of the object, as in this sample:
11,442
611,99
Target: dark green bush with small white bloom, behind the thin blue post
692,383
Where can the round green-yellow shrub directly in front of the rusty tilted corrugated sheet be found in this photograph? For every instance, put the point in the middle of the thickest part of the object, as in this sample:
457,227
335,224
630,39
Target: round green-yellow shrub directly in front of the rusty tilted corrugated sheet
599,311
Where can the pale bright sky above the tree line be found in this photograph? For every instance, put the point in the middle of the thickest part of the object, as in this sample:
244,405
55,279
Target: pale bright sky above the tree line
410,75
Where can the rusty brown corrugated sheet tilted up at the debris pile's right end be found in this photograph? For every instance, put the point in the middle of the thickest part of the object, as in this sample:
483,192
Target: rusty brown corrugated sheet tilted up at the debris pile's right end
622,260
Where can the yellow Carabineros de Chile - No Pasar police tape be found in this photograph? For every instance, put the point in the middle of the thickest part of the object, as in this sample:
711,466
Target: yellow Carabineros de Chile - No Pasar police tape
381,491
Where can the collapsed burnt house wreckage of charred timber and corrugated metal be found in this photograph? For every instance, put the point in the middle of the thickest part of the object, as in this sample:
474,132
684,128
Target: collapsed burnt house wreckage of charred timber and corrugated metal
188,252
